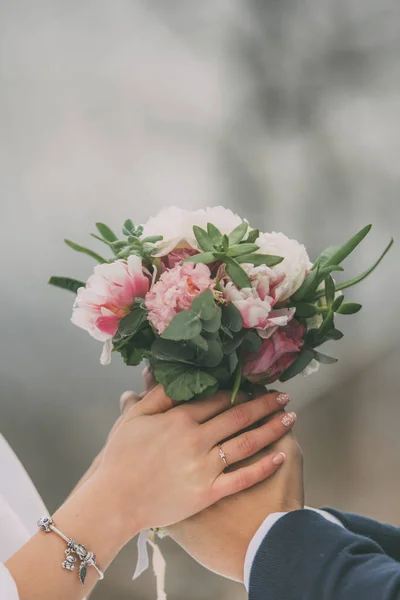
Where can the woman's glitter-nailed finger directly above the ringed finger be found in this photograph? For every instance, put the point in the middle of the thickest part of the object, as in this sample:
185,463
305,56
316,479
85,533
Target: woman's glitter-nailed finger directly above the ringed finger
242,416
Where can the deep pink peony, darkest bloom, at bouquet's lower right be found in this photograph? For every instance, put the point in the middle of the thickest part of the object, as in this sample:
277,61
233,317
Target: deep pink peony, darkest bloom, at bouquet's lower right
276,354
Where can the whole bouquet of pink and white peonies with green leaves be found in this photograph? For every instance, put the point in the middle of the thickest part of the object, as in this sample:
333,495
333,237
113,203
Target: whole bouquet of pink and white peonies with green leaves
211,302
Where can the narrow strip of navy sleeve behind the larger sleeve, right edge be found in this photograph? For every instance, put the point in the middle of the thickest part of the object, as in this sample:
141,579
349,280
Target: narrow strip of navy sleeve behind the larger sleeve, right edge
386,536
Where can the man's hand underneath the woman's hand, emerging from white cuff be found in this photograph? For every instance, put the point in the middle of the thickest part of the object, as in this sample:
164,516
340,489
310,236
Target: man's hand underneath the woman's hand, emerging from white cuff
219,536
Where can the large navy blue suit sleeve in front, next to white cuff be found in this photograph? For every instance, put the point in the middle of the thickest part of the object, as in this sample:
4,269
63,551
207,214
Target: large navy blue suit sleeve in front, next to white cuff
305,557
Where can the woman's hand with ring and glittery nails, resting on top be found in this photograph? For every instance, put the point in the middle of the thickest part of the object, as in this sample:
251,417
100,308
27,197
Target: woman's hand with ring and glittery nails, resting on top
163,462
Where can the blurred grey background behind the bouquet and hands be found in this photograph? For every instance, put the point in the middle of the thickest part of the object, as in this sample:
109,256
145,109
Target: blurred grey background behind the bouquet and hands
287,112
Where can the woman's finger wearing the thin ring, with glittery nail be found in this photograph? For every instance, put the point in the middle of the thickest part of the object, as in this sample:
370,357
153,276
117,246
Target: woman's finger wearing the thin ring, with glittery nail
250,442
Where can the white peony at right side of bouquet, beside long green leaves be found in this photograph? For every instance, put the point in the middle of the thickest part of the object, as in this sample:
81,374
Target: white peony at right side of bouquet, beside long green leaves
296,261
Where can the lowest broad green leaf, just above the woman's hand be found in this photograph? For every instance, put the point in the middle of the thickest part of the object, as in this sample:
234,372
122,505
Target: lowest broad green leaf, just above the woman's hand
181,382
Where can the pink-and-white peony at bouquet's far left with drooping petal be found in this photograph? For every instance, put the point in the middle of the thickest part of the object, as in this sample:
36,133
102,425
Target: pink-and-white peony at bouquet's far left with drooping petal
108,297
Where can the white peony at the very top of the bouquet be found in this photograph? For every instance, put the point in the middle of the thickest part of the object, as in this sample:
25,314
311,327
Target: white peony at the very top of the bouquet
176,226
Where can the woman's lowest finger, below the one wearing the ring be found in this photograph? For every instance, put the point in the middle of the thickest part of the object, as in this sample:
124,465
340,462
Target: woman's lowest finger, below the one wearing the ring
237,481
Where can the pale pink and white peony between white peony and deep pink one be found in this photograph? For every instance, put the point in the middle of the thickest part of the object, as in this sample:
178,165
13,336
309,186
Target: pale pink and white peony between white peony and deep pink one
256,303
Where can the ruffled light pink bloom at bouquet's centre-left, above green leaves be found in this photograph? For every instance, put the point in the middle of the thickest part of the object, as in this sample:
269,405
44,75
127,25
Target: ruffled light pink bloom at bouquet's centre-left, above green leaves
175,291
